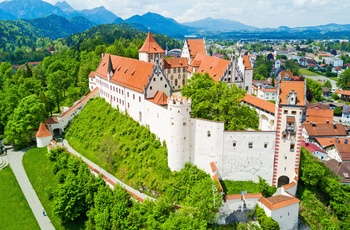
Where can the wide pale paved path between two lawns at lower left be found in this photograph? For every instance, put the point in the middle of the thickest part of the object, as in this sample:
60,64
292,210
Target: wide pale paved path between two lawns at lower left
15,161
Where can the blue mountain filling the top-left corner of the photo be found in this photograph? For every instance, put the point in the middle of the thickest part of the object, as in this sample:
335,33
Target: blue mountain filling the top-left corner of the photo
29,9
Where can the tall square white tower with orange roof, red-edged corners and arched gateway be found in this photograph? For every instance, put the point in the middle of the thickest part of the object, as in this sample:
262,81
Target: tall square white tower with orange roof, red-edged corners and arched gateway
290,104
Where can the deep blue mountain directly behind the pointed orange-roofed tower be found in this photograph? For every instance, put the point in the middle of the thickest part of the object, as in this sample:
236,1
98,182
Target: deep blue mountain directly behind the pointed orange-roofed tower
159,24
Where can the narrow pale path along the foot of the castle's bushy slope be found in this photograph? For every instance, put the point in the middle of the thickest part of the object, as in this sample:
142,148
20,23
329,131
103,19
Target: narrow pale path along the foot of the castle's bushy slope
107,174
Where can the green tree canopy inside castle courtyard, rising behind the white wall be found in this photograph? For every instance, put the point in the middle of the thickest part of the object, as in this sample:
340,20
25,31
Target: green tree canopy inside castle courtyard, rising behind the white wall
219,102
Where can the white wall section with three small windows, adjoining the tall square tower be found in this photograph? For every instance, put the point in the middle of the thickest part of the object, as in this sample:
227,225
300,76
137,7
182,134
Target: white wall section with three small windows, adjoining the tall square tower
240,162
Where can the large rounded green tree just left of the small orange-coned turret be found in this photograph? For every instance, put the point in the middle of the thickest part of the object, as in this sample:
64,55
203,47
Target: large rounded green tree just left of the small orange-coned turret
25,120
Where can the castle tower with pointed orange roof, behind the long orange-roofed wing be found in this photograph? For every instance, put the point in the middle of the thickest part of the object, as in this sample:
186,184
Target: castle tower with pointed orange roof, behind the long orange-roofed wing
150,50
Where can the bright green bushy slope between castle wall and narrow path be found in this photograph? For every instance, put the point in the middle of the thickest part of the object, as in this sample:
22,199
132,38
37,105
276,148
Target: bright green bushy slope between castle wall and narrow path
121,145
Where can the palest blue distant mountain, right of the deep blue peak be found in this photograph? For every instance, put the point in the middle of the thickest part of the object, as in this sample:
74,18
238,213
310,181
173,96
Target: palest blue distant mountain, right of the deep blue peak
219,24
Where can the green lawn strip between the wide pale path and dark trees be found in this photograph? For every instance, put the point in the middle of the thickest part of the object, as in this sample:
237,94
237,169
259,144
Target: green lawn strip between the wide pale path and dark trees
39,171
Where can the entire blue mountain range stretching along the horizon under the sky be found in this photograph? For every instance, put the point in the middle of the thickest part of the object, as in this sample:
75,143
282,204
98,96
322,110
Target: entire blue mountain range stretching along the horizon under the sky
213,28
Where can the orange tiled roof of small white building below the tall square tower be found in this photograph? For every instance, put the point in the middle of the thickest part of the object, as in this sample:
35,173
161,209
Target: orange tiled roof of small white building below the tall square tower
278,201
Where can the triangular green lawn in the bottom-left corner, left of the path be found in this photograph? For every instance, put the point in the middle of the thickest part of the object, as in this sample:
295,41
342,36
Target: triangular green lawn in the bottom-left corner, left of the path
15,211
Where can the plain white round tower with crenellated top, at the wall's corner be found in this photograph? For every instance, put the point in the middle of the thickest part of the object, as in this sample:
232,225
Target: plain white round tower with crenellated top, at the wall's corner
178,141
